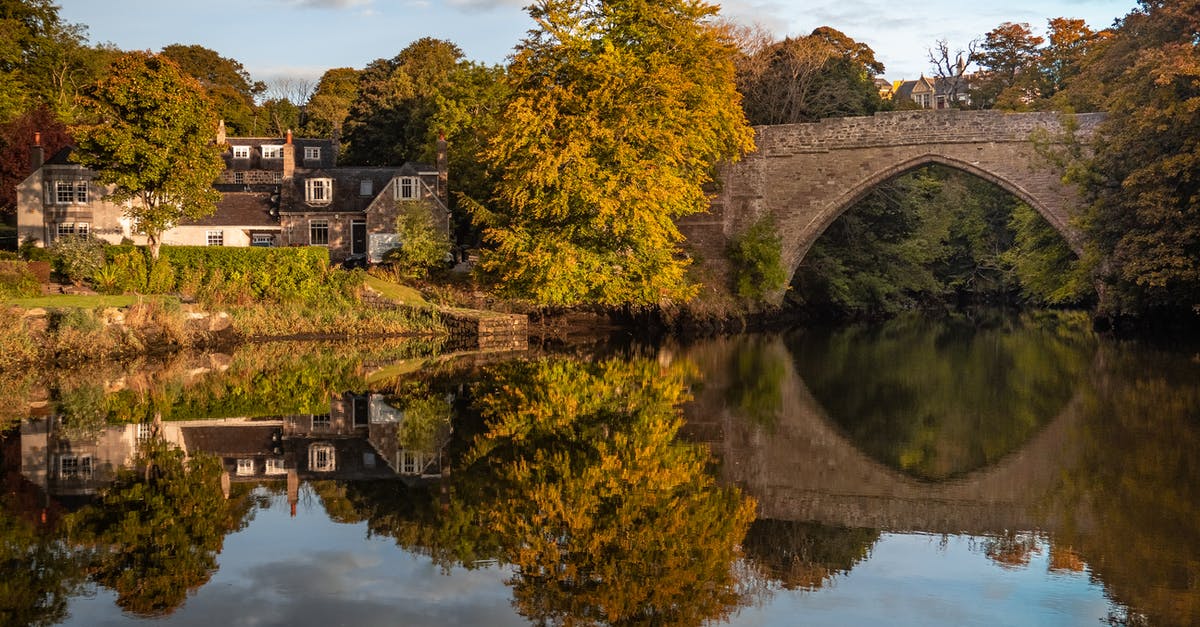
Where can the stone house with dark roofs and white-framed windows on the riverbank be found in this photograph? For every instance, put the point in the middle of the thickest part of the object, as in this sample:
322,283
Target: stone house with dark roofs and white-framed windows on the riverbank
274,193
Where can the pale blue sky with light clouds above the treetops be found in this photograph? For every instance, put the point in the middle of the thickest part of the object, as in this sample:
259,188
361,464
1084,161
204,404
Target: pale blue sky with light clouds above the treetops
302,39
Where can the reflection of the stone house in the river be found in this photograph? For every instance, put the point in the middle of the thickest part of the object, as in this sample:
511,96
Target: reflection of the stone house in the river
359,439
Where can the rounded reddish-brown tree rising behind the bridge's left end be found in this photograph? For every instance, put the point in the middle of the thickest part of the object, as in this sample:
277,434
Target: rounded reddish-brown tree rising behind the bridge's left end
802,80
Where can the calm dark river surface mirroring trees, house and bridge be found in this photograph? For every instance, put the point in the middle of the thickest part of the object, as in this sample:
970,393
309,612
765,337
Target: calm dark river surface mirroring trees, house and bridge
986,470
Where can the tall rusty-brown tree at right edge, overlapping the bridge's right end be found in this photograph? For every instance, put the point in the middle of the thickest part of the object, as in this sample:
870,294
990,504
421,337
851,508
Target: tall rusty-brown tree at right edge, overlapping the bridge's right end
1144,212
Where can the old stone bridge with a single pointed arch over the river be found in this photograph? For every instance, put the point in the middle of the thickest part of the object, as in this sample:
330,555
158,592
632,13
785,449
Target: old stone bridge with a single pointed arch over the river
808,175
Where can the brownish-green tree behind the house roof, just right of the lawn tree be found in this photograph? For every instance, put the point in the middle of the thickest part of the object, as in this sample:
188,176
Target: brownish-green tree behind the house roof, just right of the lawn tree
226,83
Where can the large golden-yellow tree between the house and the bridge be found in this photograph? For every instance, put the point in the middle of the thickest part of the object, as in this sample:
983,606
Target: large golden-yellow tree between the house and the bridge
617,115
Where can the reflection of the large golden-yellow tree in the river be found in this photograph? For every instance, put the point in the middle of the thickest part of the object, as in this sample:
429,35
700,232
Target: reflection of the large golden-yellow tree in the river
577,479
